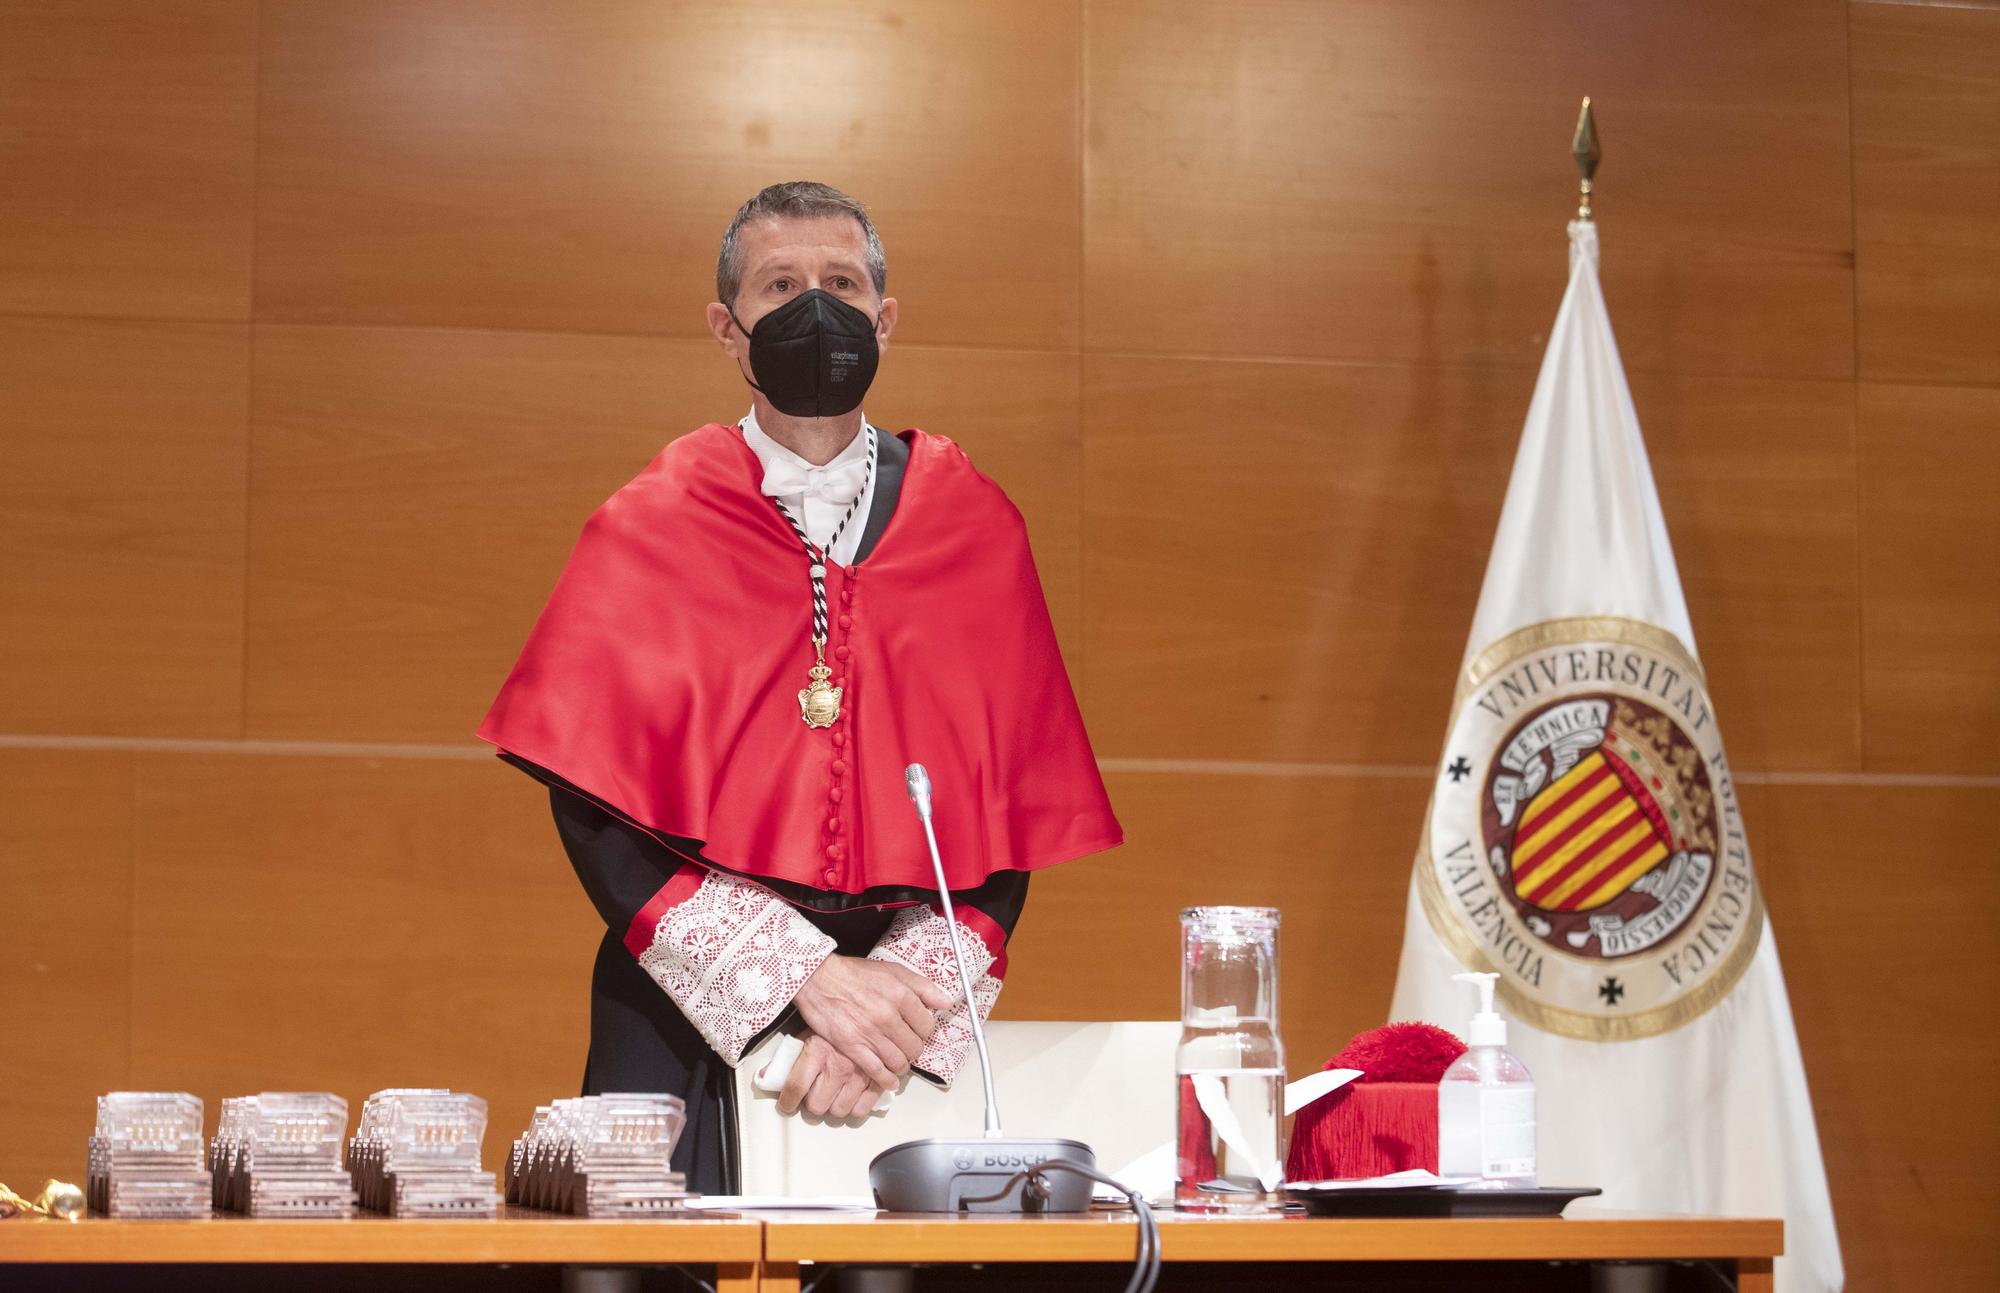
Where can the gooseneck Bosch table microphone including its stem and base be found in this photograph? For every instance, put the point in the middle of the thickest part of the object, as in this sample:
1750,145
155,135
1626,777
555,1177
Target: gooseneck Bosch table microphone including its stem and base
995,1174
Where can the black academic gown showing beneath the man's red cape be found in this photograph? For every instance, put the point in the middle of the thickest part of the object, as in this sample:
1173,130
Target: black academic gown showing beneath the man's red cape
639,1038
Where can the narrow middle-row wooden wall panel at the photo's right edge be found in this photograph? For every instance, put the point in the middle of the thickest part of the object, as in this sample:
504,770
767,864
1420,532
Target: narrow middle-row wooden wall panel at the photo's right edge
1931,577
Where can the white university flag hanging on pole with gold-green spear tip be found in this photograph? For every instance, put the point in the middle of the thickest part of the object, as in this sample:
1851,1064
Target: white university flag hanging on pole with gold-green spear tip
1587,844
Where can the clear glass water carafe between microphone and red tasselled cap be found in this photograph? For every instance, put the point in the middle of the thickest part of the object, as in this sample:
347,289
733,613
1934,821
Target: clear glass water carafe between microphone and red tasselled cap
1231,1064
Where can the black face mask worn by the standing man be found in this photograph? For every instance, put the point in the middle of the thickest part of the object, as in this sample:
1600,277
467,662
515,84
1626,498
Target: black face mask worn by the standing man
813,357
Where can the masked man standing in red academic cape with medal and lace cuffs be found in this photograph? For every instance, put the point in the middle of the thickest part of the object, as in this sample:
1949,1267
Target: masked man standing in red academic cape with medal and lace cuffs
747,648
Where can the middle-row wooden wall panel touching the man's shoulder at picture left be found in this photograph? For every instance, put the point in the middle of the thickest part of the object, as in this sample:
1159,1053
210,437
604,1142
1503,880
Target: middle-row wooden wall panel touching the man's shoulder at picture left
415,497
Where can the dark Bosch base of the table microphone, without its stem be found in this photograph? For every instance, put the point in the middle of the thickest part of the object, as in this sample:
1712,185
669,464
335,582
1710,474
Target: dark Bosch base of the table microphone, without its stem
971,1176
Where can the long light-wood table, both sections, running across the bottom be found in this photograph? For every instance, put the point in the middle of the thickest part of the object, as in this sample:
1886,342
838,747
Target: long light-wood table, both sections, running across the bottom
765,1254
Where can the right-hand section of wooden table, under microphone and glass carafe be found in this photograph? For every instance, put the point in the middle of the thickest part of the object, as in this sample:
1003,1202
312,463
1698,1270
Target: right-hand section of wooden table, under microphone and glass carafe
1583,1236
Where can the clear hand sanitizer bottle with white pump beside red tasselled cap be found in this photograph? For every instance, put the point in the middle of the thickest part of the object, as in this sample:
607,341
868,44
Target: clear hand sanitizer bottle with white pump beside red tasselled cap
1487,1106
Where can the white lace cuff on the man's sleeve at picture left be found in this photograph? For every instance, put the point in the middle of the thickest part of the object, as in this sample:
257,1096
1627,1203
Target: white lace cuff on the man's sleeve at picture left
729,954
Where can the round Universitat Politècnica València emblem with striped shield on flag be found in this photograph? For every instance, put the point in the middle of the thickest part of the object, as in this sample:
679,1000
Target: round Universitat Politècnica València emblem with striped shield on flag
1585,836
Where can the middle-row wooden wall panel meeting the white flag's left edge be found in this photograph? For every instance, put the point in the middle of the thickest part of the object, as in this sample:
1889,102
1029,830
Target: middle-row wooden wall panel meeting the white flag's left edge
1283,561
